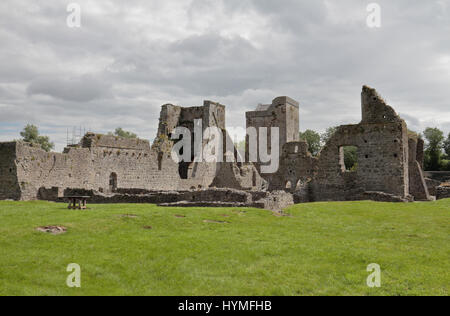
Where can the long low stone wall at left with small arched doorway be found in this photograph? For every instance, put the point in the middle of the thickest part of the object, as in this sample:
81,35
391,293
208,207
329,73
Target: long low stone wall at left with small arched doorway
91,168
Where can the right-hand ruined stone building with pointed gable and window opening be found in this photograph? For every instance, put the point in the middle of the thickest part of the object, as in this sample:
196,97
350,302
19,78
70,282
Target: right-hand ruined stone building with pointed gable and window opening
388,162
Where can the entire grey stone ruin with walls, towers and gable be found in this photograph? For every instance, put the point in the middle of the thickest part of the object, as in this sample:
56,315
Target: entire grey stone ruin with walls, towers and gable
112,169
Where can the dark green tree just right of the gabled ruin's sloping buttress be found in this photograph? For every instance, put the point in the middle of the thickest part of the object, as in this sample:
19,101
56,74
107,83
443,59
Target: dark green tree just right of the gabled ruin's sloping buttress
433,151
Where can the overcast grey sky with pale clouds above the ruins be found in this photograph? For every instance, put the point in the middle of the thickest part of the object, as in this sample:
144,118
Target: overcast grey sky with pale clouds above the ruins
130,57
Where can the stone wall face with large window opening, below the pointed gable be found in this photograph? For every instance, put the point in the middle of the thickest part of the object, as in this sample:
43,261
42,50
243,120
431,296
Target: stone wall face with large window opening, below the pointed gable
382,159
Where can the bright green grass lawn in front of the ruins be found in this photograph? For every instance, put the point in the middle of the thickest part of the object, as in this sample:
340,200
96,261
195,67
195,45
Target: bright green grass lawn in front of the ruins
322,249
